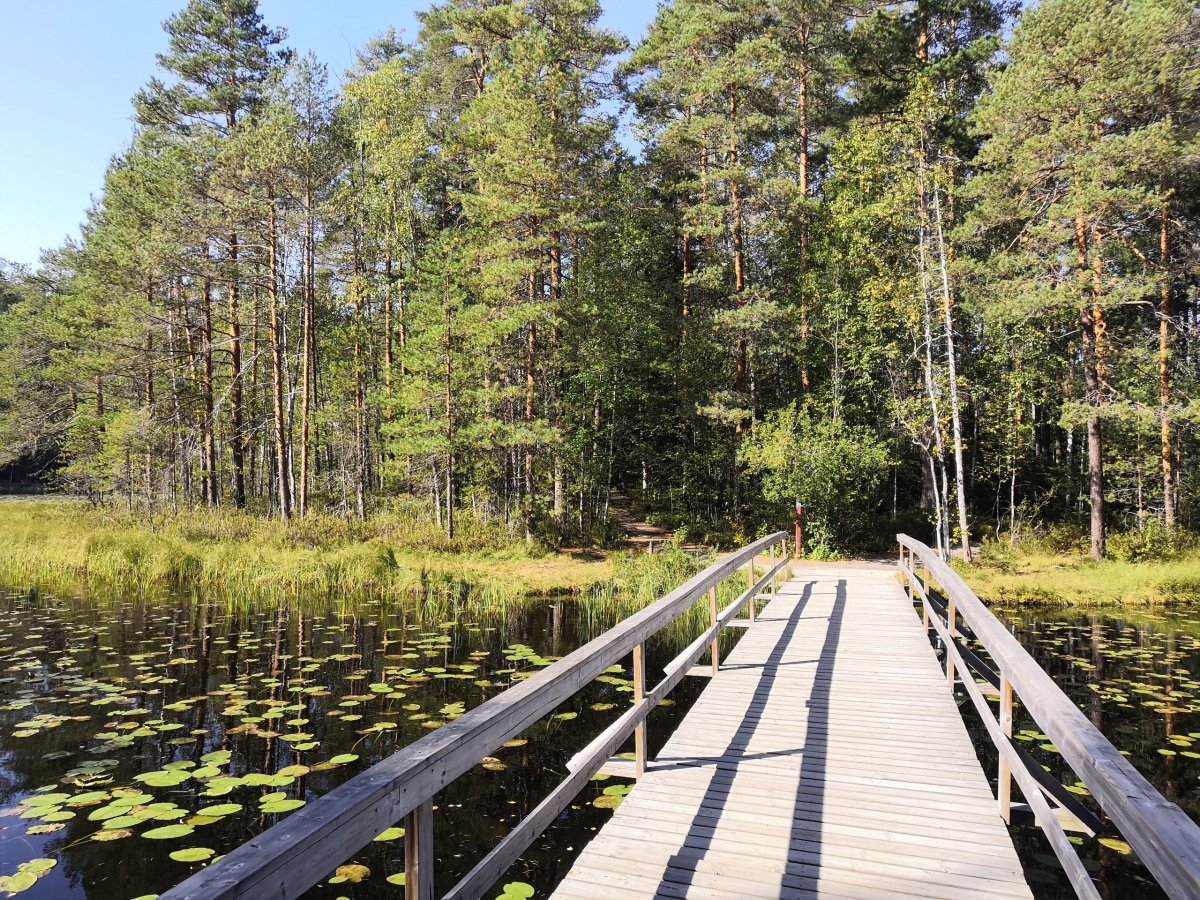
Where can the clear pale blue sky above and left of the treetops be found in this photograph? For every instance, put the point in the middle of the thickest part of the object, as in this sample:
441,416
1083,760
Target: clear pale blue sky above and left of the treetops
69,70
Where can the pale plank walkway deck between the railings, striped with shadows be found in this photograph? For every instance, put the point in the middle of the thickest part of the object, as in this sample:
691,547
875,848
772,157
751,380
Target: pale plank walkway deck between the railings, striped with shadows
827,758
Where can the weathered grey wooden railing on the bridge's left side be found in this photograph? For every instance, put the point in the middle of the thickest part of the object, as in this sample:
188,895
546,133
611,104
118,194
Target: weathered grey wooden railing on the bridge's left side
295,855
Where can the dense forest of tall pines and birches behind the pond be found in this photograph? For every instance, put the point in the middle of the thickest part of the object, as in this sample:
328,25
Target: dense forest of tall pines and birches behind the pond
929,266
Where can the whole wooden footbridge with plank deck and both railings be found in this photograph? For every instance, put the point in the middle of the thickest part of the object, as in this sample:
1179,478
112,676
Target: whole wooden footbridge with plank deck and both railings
827,757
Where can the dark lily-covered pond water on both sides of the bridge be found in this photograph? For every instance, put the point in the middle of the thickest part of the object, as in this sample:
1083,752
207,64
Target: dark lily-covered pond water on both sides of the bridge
140,740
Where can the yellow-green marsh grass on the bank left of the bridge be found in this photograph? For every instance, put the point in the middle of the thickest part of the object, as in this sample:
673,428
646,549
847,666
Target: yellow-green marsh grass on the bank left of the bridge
64,545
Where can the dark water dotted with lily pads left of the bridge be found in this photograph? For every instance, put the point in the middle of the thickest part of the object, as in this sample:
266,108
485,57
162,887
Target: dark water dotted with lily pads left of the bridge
172,730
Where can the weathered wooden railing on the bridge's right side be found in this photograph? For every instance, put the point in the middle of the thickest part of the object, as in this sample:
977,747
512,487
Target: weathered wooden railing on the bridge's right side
1161,833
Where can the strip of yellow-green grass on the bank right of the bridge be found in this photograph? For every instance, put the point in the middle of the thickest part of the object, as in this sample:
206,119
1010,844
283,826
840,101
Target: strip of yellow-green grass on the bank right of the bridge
1039,577
